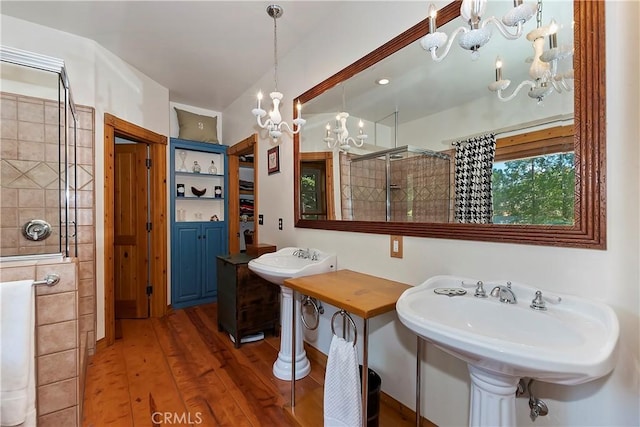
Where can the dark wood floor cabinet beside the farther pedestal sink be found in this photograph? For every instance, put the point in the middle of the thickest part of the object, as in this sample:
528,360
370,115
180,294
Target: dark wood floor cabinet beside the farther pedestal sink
247,304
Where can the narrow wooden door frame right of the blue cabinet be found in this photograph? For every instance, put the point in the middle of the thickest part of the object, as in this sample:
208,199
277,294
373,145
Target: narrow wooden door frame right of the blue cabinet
248,145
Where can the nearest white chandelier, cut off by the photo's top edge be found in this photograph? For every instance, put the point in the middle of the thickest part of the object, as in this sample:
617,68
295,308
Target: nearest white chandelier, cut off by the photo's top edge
478,33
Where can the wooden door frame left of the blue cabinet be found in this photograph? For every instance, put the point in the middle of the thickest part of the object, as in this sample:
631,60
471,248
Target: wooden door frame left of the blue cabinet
113,126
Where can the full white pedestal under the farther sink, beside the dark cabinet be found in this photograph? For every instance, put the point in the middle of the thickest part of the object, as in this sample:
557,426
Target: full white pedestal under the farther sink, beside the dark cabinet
282,366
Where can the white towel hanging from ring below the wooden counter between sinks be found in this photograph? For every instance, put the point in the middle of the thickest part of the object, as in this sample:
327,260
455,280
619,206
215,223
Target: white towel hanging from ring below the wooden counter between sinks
342,397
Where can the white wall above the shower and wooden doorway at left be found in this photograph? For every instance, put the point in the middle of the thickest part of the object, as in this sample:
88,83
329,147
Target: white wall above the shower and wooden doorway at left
101,80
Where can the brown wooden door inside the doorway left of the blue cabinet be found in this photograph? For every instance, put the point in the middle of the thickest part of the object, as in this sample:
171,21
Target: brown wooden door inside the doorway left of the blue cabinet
130,232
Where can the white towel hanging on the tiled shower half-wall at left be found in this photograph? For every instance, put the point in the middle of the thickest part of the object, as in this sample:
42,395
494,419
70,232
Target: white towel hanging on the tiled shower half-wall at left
17,353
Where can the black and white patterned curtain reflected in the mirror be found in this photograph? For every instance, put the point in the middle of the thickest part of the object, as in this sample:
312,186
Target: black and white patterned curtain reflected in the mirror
474,168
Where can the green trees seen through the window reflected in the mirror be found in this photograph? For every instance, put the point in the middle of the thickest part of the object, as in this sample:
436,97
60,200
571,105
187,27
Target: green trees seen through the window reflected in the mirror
535,190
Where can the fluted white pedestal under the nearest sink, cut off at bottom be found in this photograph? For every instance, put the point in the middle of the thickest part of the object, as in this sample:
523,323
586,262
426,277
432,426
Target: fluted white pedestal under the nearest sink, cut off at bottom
493,398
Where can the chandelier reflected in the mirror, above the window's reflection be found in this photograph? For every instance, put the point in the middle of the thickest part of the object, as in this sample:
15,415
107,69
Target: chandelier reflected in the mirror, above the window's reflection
545,77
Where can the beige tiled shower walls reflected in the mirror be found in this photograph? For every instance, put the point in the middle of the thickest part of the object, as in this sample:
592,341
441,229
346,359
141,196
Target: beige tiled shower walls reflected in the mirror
420,189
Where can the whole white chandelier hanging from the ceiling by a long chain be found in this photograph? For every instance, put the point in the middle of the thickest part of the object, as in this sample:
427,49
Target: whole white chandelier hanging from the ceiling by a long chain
274,123
